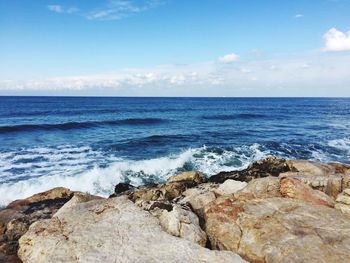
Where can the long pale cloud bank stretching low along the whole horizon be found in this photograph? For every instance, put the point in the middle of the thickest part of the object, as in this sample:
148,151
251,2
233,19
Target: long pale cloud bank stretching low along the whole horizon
325,75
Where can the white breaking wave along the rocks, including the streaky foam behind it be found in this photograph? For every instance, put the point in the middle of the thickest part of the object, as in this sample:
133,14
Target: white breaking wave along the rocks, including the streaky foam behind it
83,169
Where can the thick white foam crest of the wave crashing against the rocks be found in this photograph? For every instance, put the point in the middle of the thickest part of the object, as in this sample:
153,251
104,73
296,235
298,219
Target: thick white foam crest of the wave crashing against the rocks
101,180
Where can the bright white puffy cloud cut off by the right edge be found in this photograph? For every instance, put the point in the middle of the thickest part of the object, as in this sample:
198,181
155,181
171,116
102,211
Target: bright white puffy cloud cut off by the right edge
336,40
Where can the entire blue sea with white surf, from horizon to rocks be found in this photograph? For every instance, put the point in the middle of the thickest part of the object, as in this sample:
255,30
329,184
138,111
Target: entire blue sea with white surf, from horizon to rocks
91,144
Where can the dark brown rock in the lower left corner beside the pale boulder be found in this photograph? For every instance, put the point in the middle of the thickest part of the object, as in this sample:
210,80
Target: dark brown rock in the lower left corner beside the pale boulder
16,218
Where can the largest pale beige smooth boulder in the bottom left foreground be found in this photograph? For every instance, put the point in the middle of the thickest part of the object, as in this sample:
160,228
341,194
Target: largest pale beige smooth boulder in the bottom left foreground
110,230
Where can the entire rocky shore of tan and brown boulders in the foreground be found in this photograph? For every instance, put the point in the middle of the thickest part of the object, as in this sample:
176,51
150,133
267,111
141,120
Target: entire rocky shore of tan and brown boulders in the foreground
274,211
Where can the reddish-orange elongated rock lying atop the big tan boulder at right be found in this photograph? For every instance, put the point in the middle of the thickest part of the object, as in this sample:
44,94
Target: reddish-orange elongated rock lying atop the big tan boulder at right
292,188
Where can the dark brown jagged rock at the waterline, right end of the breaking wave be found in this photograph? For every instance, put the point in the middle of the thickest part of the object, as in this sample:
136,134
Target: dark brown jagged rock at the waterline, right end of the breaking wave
270,166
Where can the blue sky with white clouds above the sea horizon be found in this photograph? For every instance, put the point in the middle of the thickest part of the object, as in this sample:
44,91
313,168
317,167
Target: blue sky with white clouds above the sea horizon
175,47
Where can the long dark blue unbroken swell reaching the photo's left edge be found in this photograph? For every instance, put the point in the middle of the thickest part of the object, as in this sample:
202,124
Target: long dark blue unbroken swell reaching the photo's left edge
81,125
